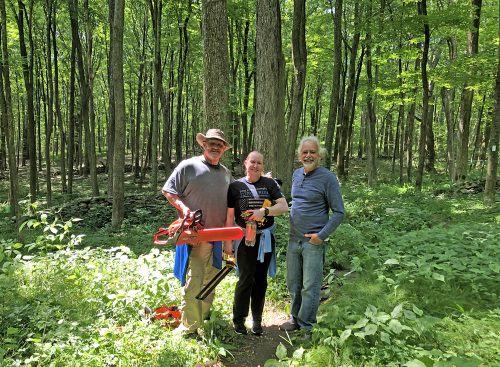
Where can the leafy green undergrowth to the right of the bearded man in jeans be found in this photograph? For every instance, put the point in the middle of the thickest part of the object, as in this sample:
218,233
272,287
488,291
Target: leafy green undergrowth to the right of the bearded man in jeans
422,286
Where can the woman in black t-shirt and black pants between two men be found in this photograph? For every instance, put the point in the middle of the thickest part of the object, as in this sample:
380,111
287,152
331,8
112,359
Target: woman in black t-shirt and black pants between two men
257,198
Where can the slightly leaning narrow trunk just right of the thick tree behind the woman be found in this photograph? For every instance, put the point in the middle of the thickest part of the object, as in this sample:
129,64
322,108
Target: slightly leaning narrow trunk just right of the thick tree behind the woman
299,57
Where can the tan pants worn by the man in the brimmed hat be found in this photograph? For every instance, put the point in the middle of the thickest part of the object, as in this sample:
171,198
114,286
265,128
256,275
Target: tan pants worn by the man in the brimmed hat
200,271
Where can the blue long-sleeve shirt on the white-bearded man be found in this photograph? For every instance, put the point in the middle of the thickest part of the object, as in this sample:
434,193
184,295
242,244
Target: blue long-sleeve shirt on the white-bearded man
313,196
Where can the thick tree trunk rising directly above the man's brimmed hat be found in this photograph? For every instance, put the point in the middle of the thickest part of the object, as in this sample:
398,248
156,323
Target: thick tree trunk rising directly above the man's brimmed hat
215,66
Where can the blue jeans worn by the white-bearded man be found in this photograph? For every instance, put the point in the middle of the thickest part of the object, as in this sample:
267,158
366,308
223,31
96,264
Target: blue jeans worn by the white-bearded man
304,263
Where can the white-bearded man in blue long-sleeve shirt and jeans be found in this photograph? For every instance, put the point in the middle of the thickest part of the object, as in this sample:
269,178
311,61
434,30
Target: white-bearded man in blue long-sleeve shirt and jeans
315,191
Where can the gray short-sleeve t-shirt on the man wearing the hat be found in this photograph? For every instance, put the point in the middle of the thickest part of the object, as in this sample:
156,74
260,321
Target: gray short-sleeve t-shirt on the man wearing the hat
201,185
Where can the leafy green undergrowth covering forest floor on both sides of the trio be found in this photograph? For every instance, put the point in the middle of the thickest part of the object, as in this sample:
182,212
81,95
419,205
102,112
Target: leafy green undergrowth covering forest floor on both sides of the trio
411,279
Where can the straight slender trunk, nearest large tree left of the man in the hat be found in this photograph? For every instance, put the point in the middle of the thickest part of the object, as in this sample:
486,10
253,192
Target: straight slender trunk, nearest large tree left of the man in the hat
119,132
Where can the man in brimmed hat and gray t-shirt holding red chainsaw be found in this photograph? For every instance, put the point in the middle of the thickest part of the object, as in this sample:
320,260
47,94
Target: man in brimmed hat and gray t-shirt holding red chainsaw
199,182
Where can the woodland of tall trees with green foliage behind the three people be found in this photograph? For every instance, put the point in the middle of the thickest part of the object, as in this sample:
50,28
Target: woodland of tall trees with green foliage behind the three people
92,85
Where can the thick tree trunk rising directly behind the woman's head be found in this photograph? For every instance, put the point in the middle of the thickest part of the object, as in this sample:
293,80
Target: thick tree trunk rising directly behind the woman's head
270,87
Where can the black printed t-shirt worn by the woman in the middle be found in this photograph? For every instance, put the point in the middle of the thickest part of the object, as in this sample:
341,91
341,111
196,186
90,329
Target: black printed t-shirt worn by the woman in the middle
241,198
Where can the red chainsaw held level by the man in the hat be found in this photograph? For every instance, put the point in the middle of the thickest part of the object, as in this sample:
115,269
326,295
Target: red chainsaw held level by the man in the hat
189,230
